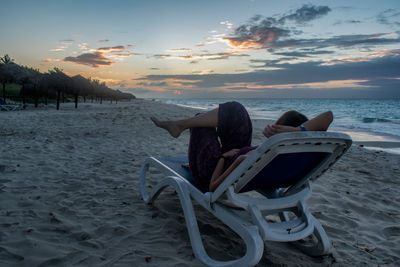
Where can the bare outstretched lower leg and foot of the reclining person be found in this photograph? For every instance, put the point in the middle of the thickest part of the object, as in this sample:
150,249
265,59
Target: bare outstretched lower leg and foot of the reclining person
175,128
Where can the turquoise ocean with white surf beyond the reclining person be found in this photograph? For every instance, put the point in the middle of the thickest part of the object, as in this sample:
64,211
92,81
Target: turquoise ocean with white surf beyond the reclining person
363,119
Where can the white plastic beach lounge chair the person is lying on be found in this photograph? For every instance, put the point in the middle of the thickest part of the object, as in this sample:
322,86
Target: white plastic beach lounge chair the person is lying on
243,203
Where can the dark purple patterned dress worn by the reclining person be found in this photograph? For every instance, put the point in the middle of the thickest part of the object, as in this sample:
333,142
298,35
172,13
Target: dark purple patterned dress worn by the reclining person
207,144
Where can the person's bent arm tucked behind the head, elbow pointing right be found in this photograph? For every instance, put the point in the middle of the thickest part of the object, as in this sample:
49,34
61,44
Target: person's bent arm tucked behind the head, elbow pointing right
318,123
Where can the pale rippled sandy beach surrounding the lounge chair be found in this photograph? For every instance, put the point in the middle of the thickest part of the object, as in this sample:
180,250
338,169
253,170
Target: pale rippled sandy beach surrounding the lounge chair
69,195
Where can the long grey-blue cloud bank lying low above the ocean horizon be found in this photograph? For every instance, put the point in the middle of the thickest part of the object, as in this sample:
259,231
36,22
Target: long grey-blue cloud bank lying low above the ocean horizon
375,77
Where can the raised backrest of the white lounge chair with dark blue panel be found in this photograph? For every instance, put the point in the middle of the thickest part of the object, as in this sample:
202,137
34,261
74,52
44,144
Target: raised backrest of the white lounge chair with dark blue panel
287,160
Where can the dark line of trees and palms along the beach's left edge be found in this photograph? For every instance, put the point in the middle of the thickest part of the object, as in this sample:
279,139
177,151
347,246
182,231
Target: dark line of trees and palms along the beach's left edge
55,85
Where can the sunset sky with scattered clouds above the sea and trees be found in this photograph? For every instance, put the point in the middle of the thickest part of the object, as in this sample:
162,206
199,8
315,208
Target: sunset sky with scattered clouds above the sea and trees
213,49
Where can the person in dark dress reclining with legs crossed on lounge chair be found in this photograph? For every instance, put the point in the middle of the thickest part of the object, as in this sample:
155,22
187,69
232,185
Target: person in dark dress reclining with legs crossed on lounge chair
211,161
